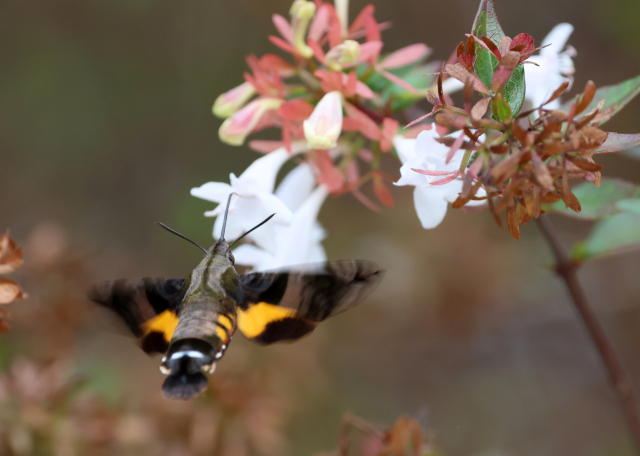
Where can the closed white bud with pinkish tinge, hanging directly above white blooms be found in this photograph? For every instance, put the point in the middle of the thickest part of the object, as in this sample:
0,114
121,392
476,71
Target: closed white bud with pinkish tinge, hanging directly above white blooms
323,127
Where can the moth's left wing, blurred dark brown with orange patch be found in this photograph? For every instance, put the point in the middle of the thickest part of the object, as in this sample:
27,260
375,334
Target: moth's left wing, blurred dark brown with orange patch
148,307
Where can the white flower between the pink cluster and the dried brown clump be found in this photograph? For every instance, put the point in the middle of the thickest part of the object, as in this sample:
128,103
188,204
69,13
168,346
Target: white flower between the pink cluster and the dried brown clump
426,153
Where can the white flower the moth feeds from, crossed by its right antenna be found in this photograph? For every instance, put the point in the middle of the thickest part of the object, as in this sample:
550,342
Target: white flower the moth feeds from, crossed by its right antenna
255,200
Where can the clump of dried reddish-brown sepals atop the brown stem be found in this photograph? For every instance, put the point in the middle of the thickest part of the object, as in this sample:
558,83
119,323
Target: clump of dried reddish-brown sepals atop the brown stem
523,163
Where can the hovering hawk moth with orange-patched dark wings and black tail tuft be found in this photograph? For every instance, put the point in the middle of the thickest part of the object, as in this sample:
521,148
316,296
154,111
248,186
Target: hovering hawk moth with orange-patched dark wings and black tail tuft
192,321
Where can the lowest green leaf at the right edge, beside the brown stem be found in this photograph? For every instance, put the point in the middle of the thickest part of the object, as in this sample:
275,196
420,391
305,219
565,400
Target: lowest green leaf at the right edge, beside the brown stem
615,234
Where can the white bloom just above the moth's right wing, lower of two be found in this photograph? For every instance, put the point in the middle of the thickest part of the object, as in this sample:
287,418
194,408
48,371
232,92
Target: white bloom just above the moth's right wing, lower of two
300,241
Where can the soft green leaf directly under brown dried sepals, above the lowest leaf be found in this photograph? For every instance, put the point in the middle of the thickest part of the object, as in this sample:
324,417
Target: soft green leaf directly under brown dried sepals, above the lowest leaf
599,202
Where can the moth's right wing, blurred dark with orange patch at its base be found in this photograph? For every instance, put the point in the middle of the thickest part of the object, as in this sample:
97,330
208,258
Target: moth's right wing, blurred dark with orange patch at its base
286,304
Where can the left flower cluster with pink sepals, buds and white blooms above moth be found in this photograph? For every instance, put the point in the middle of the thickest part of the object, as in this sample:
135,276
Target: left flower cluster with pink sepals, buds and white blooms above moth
331,121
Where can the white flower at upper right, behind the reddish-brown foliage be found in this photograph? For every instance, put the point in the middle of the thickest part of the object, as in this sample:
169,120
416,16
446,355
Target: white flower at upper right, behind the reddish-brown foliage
555,67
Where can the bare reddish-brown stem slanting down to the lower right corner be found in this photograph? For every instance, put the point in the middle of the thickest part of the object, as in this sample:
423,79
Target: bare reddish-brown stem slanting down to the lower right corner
620,380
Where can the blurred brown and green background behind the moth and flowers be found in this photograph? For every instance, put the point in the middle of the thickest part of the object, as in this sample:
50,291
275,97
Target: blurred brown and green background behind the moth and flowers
105,126
